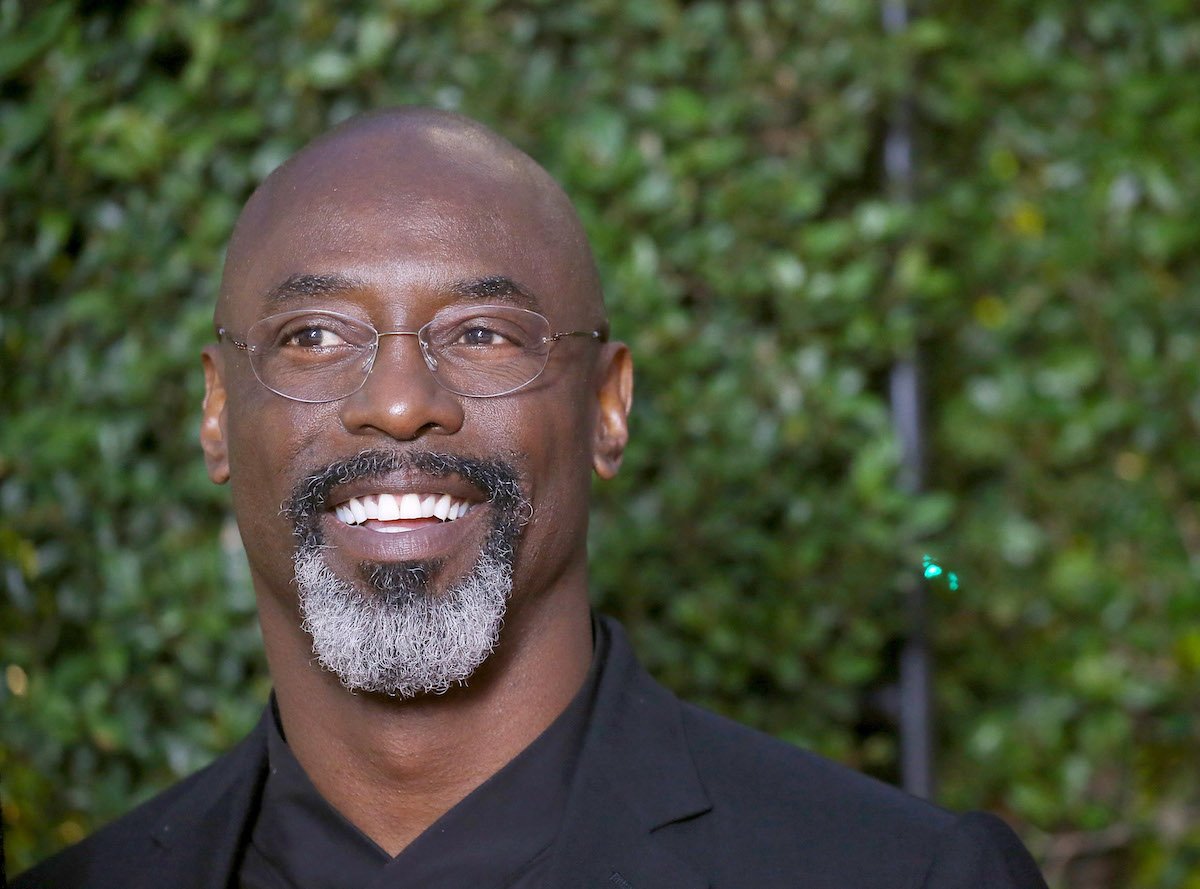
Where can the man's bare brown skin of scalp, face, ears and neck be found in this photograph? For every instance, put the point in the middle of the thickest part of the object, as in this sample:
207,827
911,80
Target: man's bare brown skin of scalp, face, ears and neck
411,205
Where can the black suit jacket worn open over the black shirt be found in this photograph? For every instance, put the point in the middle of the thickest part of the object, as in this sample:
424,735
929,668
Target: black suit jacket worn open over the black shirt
667,796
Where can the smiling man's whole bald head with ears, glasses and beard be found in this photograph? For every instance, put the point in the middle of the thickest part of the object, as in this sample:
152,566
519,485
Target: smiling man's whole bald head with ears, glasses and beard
412,519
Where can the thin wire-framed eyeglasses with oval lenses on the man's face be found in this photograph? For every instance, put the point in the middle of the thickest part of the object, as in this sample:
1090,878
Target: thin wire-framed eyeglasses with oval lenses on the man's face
482,352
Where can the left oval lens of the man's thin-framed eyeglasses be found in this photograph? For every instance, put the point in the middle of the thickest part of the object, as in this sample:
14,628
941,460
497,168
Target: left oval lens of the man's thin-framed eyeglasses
314,357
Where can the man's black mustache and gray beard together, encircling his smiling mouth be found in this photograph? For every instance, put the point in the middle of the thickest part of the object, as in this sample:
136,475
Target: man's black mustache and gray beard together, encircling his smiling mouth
388,630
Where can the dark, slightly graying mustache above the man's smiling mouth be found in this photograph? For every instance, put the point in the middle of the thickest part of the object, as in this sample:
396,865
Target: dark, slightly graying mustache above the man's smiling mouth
496,479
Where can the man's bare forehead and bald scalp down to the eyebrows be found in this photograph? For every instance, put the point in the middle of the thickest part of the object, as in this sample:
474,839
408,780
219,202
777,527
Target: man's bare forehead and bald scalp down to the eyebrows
412,221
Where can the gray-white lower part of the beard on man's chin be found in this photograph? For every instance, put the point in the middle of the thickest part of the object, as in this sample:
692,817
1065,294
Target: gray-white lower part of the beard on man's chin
406,645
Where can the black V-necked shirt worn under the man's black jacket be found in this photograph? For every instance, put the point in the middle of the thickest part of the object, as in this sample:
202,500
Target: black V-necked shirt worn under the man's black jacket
500,837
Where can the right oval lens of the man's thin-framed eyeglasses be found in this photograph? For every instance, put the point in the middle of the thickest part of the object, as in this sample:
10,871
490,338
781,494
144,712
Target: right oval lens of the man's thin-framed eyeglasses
487,351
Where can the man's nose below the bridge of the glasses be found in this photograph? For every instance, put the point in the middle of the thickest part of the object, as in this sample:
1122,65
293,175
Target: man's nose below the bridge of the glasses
400,398
